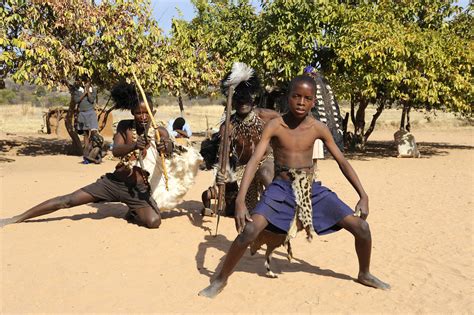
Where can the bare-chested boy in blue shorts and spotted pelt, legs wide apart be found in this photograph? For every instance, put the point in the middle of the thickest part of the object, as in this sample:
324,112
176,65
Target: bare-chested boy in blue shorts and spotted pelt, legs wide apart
294,200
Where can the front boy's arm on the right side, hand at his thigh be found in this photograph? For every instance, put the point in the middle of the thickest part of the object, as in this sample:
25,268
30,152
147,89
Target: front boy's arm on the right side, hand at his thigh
362,206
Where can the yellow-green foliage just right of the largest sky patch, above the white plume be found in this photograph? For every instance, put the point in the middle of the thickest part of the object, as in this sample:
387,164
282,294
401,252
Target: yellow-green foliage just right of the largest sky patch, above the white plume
201,51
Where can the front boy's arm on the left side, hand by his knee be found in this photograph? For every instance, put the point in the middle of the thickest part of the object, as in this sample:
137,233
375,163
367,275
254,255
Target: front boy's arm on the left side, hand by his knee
241,211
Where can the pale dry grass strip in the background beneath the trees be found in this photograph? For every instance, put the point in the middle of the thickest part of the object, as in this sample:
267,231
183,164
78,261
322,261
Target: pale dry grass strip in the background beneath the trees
26,118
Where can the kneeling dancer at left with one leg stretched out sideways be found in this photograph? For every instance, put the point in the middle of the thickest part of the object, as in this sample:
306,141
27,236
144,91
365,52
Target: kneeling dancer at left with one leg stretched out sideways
129,182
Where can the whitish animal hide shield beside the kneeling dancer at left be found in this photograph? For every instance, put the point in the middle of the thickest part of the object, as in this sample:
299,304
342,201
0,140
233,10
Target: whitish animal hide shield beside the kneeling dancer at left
182,168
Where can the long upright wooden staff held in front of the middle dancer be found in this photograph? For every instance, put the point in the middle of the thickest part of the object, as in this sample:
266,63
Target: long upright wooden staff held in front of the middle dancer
225,147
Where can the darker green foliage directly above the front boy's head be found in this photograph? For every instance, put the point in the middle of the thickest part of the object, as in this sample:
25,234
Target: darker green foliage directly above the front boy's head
286,34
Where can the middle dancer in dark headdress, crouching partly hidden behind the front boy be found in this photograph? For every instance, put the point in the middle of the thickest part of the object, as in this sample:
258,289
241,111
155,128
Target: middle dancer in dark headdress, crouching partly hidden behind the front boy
246,127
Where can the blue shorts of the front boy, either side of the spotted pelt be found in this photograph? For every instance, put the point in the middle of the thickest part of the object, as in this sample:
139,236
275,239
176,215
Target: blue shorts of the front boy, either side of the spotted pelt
277,205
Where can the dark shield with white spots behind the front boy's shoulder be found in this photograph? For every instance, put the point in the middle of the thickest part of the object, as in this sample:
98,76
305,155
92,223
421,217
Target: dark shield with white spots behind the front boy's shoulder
327,110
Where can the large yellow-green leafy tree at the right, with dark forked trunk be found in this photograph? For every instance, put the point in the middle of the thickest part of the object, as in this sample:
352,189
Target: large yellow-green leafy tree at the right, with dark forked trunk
403,52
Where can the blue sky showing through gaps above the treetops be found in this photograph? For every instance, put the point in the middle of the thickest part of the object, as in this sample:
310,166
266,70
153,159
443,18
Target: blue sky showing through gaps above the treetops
165,10
